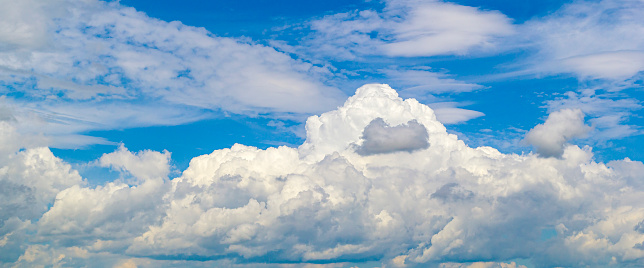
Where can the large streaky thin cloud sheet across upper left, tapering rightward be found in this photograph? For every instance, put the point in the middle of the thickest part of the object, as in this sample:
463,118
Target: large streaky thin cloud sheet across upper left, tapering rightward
76,60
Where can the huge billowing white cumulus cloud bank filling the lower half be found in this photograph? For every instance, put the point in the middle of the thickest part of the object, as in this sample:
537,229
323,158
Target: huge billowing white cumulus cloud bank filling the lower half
444,205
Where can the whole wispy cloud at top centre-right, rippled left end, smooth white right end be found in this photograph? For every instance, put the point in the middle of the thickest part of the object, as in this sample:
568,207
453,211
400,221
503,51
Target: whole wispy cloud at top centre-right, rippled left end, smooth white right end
407,29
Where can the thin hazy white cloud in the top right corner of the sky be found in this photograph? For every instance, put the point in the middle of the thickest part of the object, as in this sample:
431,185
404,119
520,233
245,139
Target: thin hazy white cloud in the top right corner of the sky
590,39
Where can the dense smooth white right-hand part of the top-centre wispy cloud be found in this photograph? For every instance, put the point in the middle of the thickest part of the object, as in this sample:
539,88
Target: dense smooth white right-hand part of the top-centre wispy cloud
439,28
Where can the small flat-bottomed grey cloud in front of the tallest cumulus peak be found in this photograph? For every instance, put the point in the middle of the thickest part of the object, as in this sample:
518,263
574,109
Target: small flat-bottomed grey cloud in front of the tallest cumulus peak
380,138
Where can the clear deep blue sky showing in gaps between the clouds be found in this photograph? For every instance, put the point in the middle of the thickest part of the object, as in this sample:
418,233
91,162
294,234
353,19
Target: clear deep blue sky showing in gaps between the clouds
509,96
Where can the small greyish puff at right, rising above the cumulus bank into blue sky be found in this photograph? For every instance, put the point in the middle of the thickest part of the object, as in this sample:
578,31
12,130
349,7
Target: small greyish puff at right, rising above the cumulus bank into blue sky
561,126
